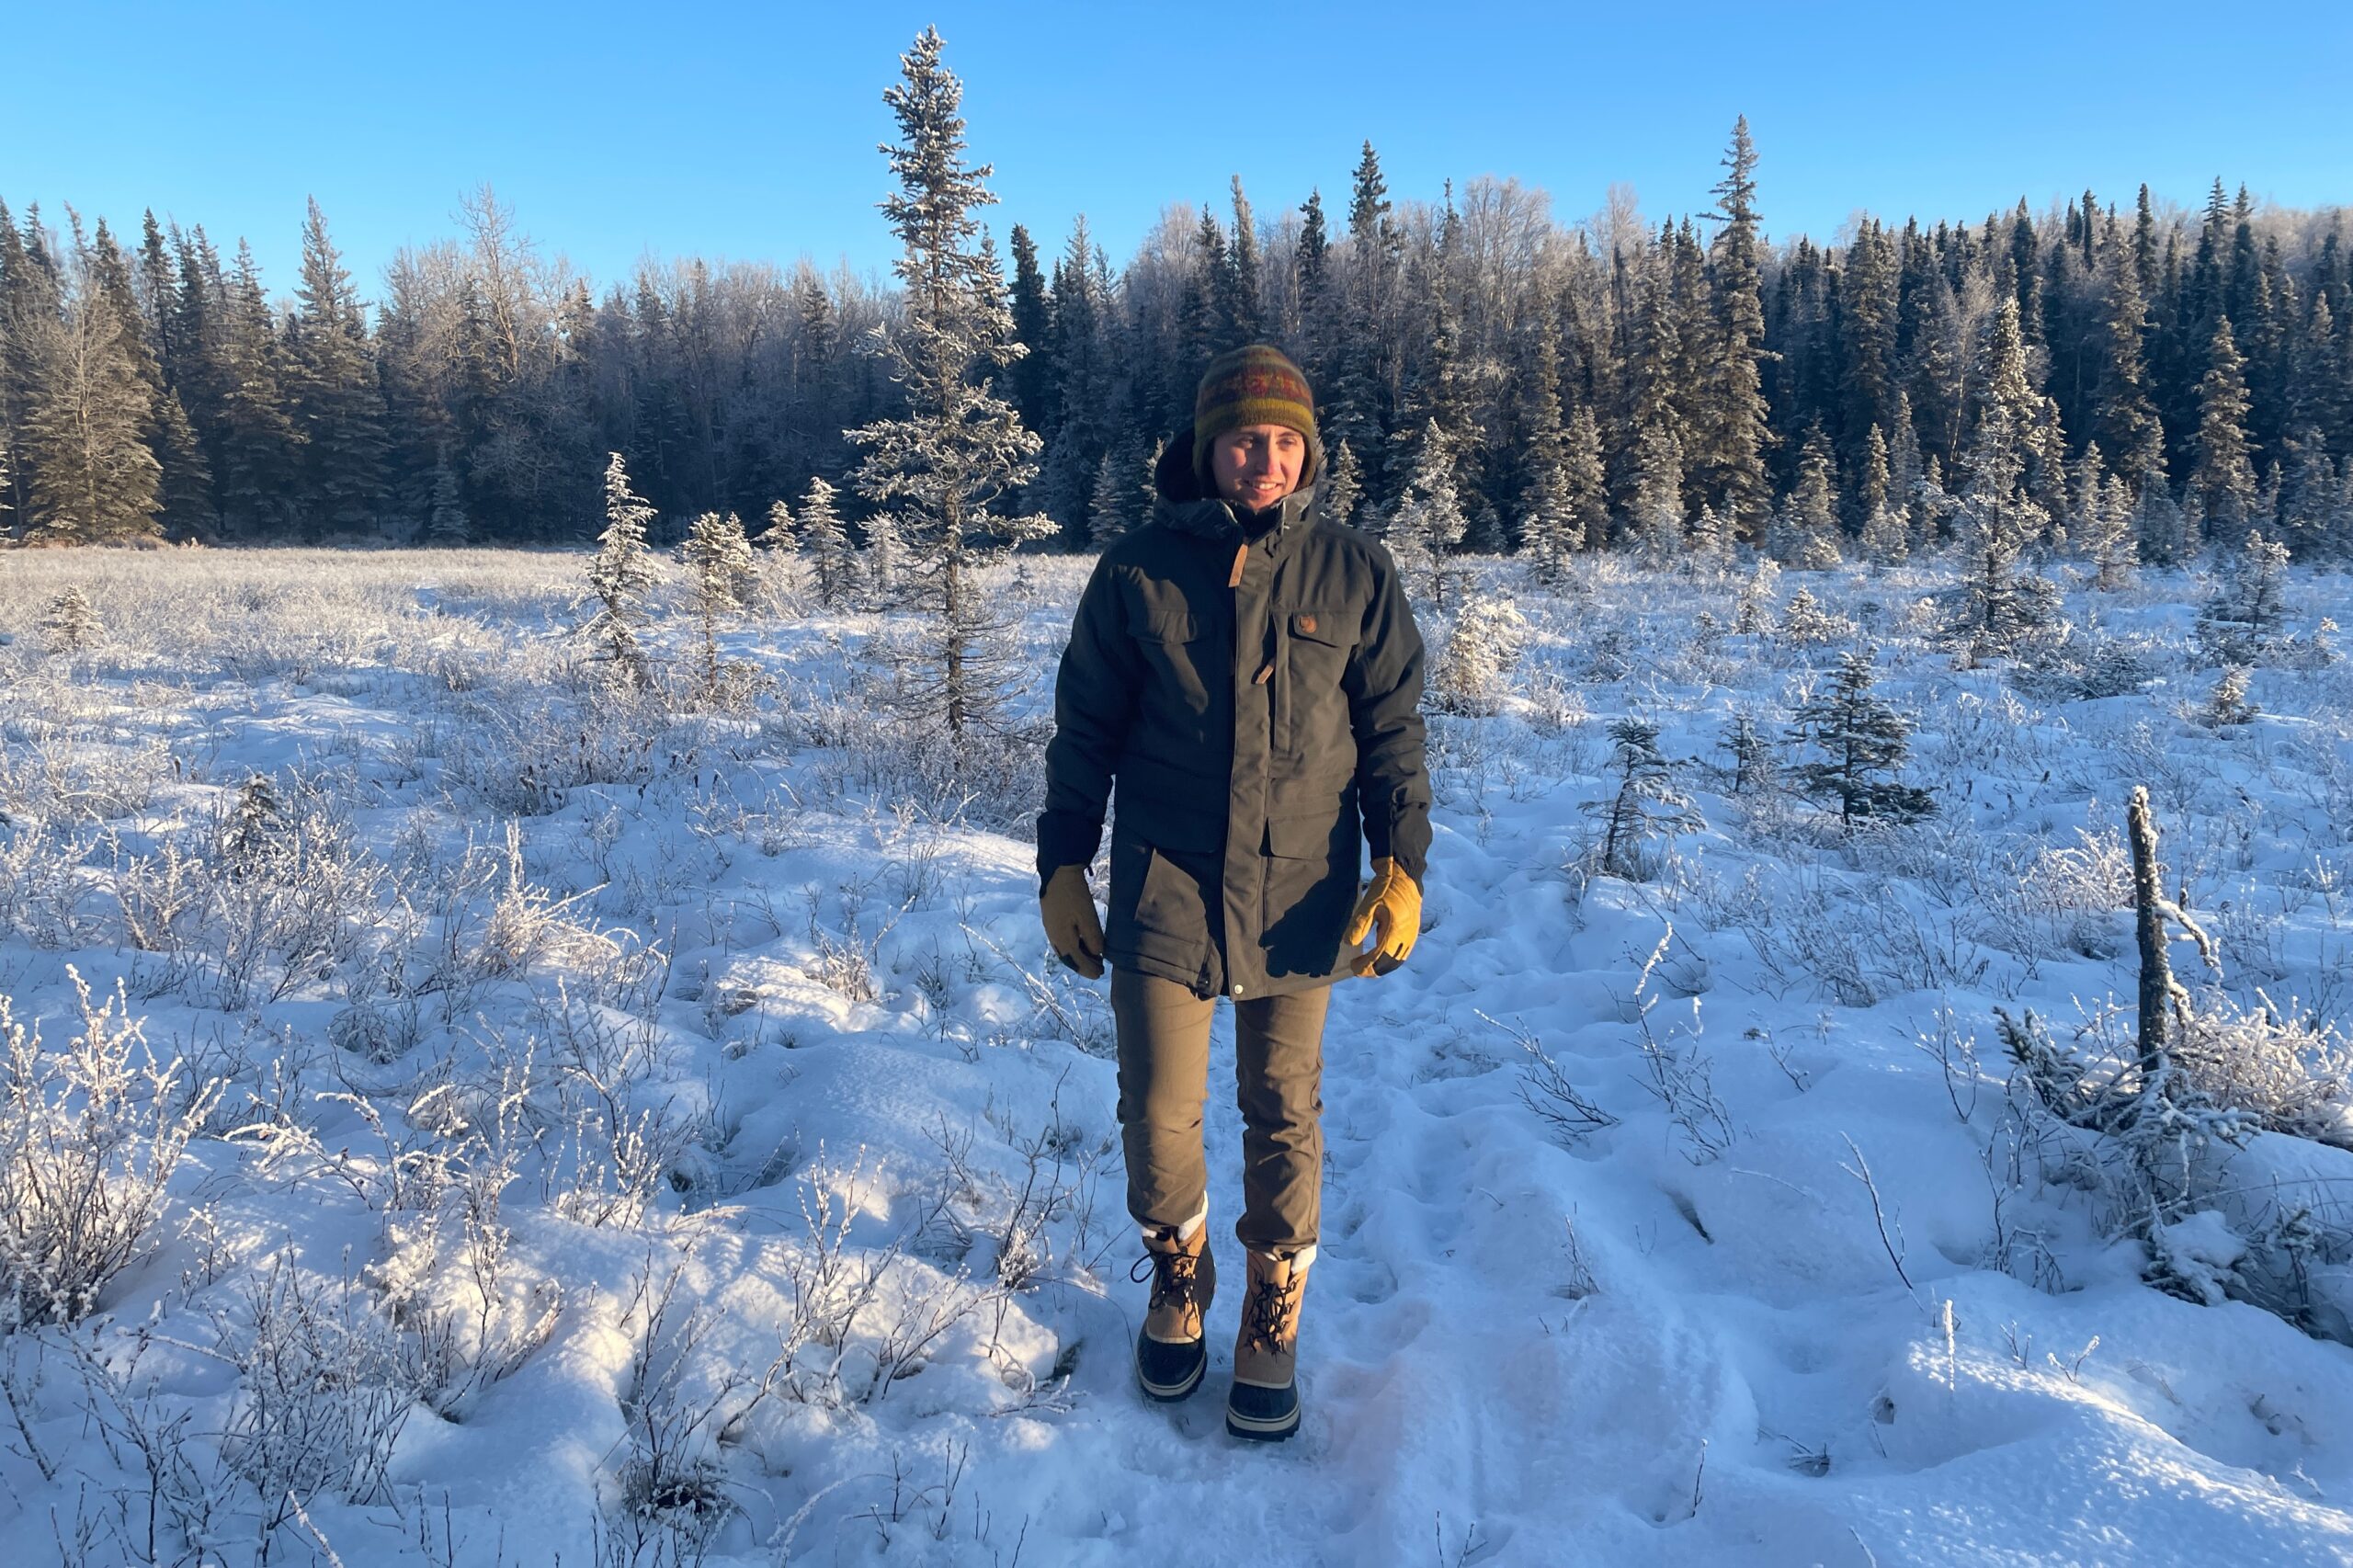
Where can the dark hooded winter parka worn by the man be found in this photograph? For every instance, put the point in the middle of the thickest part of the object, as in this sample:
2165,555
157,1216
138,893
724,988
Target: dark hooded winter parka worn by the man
1260,715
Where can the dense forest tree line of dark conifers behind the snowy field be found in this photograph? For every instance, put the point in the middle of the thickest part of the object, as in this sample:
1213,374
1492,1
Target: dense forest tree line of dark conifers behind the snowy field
2109,378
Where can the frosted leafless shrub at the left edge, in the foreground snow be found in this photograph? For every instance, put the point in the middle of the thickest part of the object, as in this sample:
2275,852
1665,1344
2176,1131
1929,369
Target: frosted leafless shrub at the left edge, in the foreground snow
88,1148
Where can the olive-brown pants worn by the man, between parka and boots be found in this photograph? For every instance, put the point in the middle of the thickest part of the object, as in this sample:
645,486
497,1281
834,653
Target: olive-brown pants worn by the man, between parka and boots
1279,1087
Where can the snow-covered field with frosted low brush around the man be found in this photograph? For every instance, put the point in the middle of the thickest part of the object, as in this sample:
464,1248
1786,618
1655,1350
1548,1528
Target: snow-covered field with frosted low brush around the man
526,1124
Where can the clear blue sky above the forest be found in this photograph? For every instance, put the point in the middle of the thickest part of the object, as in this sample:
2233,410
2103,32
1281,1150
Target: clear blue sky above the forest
749,131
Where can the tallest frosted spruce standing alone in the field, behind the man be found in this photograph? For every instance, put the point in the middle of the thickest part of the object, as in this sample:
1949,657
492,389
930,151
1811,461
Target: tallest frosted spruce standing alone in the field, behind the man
961,449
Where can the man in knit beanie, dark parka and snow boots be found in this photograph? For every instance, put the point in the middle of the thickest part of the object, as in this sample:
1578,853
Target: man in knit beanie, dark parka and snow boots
1248,675
